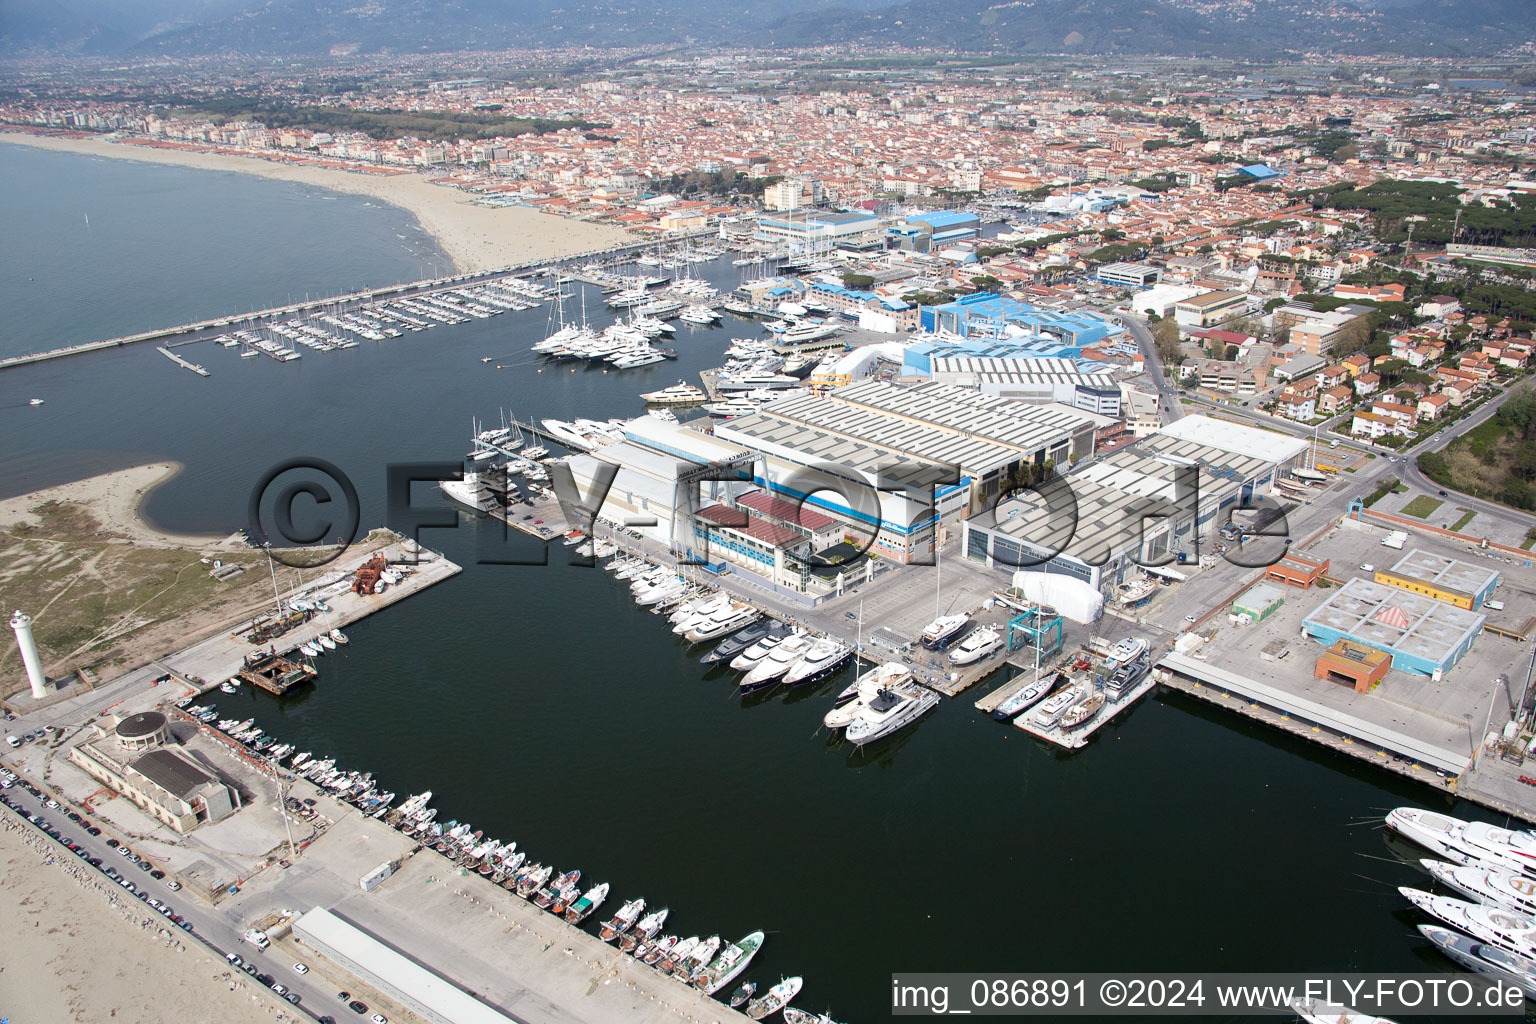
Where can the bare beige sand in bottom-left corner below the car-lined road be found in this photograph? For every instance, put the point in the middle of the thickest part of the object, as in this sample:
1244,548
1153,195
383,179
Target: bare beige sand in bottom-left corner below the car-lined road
79,951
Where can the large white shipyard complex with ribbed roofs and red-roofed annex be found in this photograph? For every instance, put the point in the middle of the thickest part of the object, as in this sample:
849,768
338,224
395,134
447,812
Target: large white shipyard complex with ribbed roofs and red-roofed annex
875,466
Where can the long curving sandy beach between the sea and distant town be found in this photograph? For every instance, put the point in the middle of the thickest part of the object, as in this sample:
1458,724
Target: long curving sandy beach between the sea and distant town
475,237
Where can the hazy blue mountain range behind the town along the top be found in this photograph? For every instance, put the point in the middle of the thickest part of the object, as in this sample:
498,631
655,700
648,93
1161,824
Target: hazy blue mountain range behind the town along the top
1177,28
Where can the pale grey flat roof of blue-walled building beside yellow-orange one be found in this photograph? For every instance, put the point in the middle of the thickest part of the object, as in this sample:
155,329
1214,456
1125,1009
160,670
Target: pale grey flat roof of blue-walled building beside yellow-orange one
1394,619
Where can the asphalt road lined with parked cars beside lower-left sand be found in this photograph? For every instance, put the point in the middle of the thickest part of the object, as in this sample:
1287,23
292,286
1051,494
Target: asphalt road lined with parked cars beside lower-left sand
208,925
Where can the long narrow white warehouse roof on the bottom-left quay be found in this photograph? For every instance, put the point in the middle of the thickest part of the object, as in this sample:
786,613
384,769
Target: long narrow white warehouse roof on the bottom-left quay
437,999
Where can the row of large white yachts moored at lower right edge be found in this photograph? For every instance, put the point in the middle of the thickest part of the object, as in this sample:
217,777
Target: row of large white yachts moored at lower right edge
1491,925
